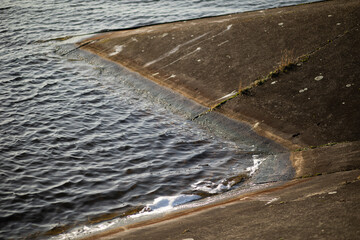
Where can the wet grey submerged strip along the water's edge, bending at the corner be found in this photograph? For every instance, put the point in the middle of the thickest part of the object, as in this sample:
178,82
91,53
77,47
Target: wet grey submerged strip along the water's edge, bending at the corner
275,170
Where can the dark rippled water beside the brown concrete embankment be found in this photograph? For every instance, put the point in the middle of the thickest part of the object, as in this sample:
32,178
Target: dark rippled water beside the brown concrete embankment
77,143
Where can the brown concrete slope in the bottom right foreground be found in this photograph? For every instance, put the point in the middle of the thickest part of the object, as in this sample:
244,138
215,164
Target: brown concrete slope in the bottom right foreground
322,207
